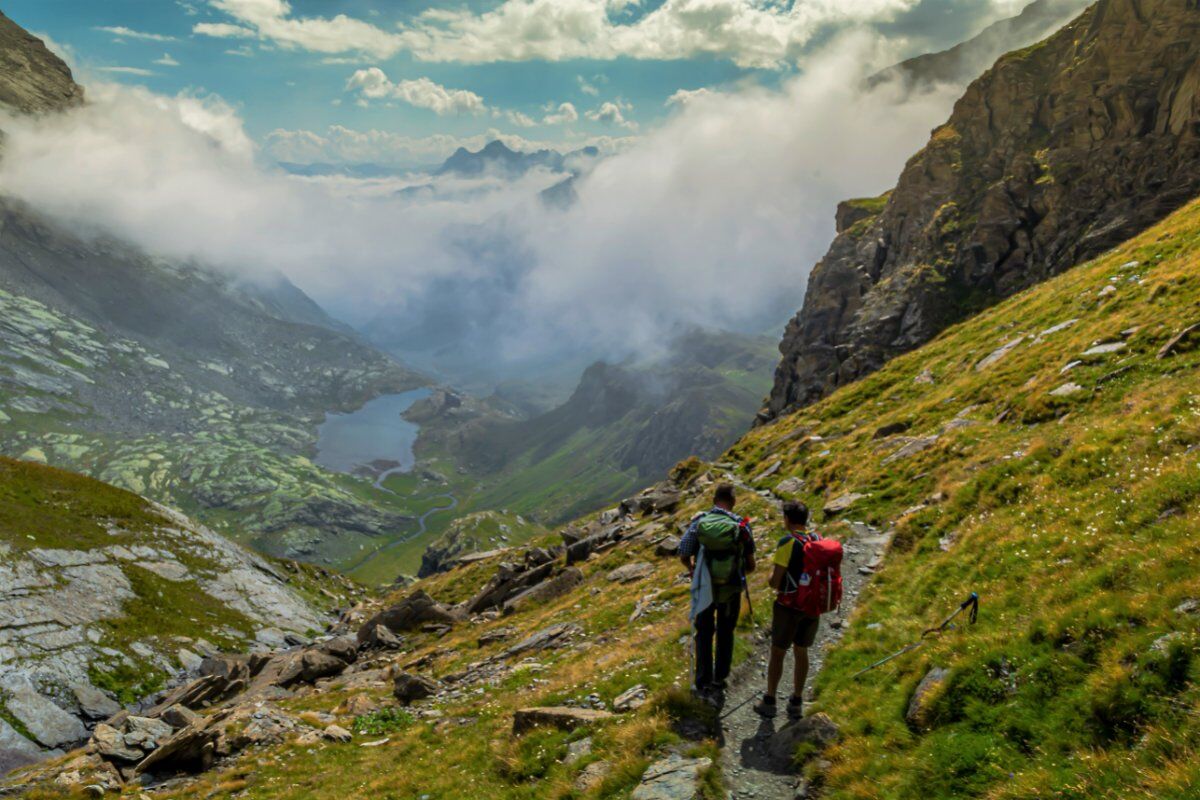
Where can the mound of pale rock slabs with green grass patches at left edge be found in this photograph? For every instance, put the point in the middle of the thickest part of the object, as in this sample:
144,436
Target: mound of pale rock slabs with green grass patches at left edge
105,598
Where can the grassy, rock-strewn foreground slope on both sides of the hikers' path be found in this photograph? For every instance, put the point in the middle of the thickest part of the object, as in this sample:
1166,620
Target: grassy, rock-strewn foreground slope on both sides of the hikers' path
1071,513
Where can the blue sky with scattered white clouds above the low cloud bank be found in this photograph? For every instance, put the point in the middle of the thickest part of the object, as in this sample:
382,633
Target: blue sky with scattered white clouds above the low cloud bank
460,70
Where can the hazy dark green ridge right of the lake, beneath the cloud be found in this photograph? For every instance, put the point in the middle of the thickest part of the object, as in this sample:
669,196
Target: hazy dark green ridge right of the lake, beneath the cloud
621,429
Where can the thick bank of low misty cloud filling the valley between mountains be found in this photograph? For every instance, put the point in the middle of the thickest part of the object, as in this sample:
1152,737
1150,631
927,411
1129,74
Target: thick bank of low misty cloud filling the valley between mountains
715,218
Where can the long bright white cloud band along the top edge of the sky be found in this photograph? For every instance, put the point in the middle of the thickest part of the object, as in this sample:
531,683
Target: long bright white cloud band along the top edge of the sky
749,33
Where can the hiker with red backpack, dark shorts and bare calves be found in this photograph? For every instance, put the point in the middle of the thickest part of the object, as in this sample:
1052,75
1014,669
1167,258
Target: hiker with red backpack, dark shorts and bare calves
807,578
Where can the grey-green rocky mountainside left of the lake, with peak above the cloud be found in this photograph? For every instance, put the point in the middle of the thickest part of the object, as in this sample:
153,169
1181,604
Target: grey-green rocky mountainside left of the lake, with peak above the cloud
199,390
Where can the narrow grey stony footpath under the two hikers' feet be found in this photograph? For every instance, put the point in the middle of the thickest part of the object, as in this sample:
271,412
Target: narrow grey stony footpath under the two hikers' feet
751,772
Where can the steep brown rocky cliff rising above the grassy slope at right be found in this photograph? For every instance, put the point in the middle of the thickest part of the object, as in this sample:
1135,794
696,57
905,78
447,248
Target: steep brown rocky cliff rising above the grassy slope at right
1057,154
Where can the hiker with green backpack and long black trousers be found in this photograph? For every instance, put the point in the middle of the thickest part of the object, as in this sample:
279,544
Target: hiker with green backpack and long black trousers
718,550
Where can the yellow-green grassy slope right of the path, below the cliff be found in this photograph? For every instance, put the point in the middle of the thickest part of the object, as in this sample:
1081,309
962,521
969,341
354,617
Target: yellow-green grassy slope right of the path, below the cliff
1072,516
